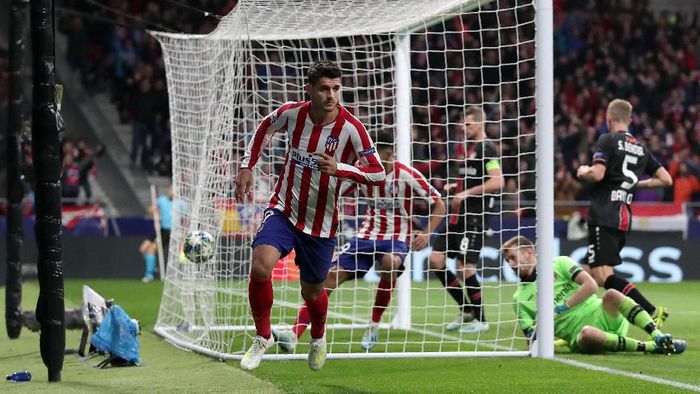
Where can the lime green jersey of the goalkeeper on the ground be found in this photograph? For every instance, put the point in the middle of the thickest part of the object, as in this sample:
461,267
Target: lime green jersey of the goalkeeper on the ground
567,323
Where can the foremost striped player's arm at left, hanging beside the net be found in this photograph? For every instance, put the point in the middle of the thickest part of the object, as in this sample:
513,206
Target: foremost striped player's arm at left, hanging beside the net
272,123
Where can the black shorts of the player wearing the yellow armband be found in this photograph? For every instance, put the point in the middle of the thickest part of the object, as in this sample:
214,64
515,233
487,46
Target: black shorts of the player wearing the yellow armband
463,244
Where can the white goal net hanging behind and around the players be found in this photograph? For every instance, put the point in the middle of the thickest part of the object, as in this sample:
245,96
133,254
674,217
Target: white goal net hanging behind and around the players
410,68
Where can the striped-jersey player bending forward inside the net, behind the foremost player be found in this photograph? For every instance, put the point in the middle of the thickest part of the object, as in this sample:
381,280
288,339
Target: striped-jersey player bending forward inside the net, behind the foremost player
382,241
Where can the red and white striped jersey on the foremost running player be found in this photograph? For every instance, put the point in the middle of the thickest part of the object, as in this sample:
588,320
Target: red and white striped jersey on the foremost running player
305,194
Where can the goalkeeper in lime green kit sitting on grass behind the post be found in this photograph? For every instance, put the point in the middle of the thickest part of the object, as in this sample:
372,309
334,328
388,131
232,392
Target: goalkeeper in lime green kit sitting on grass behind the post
588,323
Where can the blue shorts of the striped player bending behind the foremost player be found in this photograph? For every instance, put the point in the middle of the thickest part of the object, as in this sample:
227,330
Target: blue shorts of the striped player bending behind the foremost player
360,255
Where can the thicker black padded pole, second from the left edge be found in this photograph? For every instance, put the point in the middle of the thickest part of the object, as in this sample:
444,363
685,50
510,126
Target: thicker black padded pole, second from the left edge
47,155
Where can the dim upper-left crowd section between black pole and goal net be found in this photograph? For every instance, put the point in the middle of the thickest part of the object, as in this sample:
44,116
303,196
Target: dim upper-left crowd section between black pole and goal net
109,47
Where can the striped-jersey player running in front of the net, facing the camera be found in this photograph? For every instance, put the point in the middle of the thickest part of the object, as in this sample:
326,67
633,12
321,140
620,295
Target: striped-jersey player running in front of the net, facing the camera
325,142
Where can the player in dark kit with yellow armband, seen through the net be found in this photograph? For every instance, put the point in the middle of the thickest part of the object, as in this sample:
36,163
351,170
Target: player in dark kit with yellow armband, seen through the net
477,178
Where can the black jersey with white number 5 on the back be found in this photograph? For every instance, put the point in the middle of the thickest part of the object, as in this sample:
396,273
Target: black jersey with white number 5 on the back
625,162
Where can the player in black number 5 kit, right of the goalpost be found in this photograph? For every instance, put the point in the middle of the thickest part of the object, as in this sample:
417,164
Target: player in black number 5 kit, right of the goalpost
618,164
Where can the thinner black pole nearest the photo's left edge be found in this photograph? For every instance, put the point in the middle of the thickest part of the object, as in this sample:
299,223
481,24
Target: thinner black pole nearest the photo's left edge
15,191
